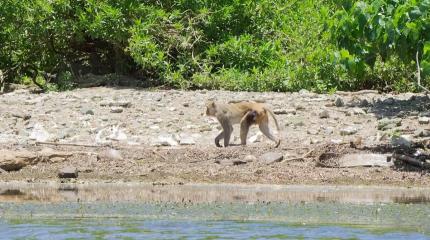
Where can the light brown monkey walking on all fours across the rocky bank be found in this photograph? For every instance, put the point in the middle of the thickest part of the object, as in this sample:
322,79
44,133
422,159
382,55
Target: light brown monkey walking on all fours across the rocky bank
245,113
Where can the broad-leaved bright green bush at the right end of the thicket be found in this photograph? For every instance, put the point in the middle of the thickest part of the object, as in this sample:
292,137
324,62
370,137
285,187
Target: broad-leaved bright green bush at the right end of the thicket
380,40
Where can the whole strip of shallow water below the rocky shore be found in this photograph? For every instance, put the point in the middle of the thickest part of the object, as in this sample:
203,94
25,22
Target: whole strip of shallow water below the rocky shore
212,212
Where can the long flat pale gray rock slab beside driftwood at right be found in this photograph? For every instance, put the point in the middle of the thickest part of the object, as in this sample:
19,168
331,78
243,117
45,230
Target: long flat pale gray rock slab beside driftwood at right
364,160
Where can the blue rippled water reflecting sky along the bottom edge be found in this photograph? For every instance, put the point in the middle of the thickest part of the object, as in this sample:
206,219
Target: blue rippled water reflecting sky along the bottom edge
132,229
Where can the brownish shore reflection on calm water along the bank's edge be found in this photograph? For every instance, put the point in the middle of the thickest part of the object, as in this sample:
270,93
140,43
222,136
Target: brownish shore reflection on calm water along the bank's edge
209,193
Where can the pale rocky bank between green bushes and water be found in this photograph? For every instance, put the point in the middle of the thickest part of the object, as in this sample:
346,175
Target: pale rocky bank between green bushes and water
162,136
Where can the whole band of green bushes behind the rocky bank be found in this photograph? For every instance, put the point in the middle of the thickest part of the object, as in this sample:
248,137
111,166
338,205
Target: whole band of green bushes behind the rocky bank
268,45
